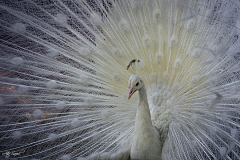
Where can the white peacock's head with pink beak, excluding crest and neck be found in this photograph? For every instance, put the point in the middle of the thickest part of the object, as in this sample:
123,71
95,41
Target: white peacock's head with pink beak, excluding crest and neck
135,82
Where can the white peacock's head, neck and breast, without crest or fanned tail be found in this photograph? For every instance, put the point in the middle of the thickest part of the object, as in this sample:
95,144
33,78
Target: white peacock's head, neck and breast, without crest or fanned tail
146,142
